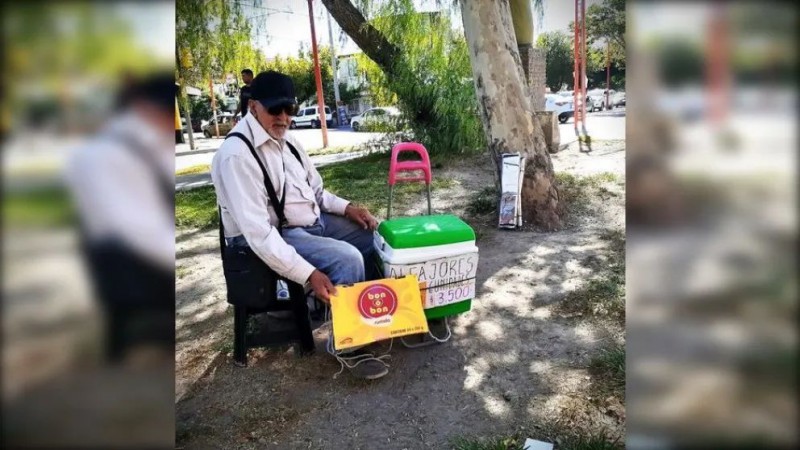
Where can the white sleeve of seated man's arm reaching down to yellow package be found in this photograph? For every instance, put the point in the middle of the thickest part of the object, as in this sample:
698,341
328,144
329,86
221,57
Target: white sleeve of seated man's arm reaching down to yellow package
242,185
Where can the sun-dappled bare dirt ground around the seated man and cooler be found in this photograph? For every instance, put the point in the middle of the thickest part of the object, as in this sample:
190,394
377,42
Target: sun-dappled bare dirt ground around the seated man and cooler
512,364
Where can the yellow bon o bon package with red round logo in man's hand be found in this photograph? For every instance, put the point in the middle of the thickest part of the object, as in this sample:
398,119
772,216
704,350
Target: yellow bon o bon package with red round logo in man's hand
376,310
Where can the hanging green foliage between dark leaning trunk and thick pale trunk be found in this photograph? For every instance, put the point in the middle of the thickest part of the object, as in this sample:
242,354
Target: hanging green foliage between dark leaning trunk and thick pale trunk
434,89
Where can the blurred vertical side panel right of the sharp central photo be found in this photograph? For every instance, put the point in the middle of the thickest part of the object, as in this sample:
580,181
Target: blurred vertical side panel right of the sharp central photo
711,225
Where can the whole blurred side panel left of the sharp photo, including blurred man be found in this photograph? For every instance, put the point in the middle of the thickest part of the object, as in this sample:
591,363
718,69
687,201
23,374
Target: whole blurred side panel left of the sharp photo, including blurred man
84,105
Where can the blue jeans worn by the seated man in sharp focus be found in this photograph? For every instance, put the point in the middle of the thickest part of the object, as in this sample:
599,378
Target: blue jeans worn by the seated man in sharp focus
335,245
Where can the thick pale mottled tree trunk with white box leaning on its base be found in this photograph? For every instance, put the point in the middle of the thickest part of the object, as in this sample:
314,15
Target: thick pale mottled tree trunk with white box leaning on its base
508,118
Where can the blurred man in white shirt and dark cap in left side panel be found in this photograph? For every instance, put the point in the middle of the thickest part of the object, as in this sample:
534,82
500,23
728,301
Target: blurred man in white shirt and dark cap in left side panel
123,183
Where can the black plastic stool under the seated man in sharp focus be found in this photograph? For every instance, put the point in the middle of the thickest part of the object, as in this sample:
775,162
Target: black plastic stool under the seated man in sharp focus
298,334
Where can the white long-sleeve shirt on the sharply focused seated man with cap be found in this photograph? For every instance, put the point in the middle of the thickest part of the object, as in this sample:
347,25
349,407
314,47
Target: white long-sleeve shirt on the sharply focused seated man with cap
246,208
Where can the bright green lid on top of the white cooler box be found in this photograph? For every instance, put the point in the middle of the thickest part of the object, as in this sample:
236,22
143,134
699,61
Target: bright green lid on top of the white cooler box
424,231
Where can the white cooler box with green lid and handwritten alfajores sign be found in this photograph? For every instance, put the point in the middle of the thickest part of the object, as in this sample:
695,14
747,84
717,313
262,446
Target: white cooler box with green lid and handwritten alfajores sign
440,250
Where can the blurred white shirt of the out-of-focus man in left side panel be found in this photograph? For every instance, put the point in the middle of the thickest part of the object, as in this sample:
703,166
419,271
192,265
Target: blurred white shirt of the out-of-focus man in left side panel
118,194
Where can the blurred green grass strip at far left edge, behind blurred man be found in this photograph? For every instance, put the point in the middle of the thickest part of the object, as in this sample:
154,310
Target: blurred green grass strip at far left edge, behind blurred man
42,207
